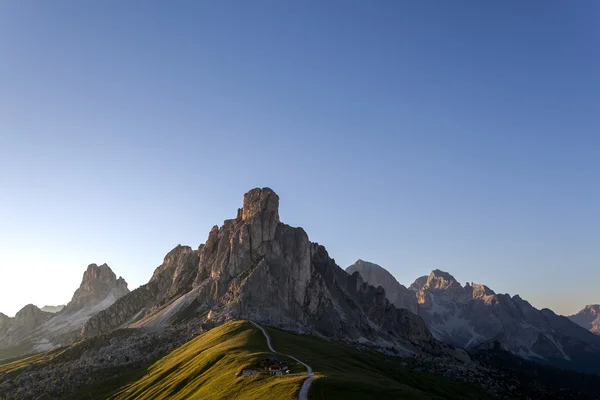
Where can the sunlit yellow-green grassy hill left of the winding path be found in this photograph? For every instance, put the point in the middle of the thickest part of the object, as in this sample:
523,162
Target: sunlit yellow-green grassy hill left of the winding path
208,367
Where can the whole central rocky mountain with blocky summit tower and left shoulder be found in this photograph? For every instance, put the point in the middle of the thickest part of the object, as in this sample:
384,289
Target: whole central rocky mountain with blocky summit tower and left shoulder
256,267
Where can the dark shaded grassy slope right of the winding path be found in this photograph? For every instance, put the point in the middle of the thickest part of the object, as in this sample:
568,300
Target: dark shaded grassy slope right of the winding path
348,373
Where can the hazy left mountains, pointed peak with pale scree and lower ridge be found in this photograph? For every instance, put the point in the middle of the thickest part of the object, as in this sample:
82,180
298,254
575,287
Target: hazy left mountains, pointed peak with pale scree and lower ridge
34,330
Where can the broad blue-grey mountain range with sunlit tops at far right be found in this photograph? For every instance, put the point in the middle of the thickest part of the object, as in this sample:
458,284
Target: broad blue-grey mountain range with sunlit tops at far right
471,315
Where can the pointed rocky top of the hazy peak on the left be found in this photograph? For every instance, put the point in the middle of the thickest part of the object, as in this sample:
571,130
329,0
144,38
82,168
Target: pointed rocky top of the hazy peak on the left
98,284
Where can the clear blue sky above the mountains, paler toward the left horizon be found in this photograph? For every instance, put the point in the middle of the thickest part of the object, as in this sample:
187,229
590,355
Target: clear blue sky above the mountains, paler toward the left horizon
459,135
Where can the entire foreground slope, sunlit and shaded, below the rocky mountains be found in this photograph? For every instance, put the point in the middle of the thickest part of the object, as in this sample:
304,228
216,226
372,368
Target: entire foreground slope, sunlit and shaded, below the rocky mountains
208,366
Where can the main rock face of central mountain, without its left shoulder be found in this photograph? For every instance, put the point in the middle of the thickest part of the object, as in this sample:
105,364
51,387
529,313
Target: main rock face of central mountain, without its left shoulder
258,268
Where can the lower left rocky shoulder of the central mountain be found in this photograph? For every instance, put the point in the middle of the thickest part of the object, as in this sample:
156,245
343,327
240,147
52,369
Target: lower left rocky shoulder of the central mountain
173,278
